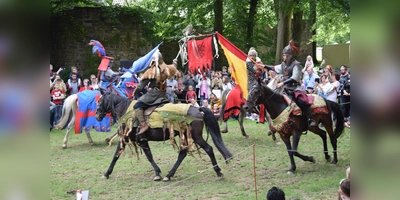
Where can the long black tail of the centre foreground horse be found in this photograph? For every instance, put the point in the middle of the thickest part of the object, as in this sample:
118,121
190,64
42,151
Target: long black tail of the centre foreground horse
213,127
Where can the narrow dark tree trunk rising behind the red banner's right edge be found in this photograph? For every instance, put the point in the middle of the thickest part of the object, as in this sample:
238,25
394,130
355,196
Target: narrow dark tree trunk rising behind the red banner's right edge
218,26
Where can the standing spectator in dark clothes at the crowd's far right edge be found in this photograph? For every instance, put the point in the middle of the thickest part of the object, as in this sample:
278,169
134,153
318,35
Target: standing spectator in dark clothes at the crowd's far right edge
344,93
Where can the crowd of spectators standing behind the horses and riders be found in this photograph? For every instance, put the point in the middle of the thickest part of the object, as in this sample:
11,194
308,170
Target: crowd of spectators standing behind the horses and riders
207,88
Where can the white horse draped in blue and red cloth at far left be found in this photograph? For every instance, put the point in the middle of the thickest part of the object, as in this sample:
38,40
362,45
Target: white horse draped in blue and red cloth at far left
71,105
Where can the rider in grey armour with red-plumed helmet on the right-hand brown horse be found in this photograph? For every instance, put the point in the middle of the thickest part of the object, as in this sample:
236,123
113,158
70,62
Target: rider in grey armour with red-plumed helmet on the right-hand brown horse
291,70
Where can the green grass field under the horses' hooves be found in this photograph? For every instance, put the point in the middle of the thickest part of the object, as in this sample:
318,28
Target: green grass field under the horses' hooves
81,166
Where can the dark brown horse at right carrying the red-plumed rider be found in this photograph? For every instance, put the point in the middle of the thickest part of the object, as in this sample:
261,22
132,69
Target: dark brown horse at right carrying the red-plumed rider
276,104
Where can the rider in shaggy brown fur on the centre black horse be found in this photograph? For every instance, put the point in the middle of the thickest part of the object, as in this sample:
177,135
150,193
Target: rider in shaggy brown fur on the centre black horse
154,78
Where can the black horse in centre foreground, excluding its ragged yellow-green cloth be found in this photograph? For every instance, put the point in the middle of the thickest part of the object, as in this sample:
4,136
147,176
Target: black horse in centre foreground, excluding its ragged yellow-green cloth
110,102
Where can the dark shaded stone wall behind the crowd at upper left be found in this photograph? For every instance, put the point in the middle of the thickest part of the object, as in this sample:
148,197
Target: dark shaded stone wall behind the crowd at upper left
124,37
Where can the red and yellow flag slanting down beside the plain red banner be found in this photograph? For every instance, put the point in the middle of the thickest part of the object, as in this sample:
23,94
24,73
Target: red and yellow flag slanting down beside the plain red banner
237,61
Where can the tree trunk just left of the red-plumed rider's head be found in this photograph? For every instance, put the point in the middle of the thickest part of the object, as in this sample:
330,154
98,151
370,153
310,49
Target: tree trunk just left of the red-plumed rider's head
283,31
